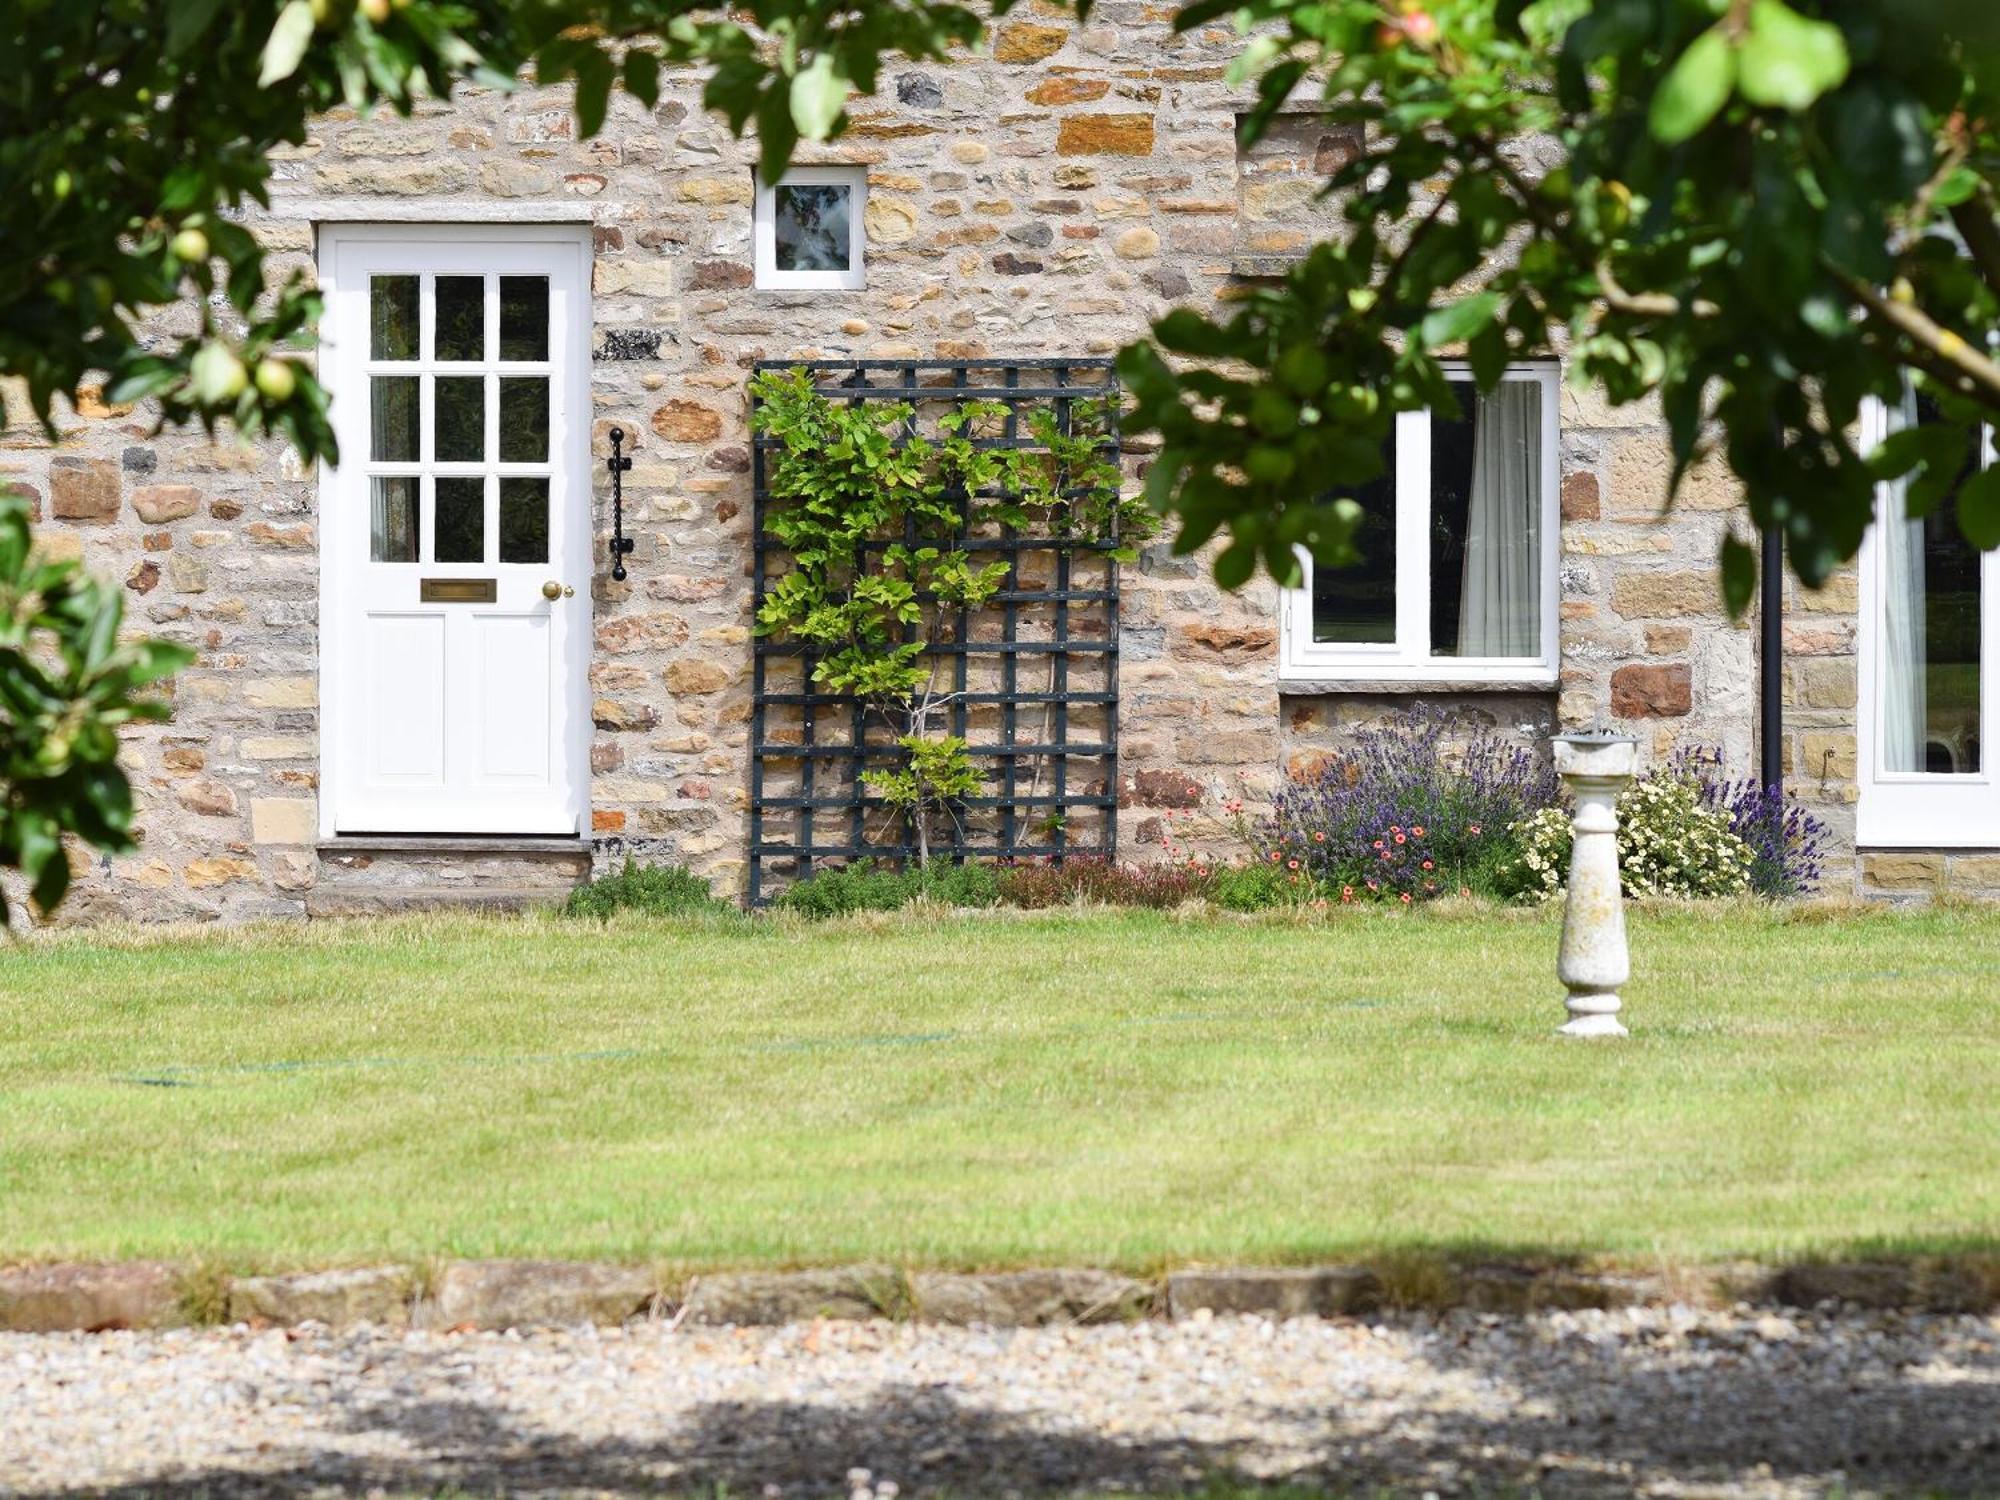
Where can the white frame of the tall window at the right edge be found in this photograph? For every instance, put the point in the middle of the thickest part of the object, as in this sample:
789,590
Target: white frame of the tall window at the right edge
1919,809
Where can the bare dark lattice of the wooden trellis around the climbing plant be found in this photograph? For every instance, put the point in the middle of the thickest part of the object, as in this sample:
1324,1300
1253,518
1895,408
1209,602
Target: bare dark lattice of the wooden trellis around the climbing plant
1029,701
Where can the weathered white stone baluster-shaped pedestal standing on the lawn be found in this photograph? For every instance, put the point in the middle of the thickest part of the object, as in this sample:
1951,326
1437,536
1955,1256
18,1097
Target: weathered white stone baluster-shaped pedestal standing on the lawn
1595,961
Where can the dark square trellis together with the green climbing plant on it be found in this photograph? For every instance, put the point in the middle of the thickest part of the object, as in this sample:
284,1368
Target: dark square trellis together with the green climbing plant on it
937,559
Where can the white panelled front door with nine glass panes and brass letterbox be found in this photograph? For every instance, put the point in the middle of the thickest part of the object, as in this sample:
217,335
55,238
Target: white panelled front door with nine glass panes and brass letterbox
455,589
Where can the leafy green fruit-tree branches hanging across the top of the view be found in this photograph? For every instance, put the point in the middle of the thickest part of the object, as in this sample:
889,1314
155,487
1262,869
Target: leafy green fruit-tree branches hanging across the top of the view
1759,213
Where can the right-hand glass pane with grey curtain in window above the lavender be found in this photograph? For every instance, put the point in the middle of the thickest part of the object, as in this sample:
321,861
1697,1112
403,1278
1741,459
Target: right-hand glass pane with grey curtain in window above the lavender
1487,523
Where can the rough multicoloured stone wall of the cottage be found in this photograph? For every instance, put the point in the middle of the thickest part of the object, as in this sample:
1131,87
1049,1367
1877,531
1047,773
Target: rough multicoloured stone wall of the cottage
1049,201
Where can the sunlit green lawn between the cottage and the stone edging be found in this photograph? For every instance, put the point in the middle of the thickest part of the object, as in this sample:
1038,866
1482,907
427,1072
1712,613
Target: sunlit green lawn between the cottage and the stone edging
1119,1089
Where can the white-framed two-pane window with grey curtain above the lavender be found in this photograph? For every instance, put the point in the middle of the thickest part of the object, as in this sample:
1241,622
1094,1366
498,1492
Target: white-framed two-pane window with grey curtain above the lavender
1459,551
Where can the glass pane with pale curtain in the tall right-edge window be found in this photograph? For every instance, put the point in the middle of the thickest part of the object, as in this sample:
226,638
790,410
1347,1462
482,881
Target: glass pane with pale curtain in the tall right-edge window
1931,637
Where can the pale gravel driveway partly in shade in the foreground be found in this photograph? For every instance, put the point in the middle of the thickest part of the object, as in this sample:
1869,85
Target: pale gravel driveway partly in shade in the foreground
1661,1401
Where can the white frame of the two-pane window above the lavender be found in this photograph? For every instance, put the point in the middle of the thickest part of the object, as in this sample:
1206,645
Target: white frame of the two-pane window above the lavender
1409,657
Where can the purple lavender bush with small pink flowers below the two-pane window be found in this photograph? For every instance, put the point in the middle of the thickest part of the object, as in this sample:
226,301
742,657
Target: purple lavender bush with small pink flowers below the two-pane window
1405,817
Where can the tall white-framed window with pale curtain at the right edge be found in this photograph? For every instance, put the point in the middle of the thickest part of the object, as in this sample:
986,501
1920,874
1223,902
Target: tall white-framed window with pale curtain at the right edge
1929,633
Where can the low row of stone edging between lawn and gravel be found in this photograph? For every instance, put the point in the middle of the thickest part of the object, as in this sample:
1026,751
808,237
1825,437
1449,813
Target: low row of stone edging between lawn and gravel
489,1295
